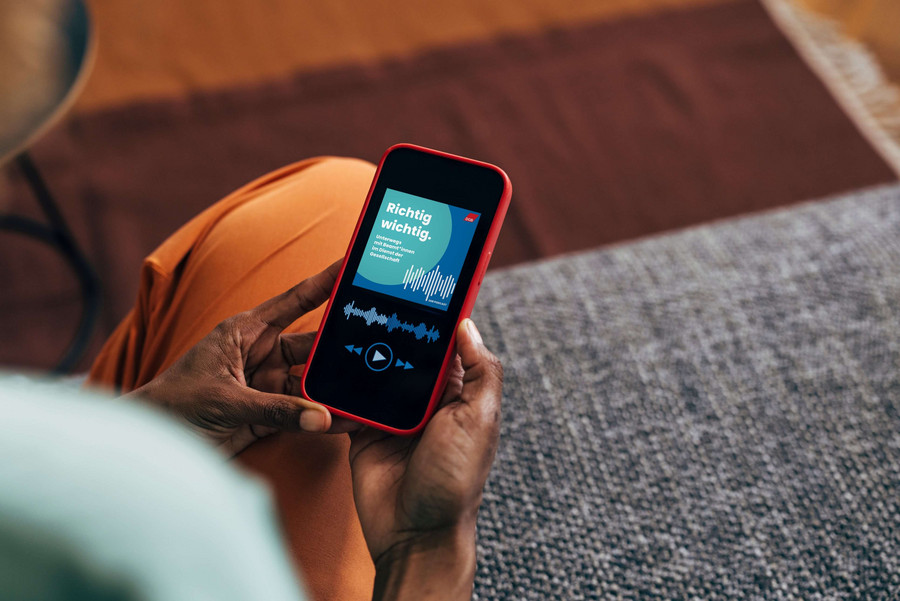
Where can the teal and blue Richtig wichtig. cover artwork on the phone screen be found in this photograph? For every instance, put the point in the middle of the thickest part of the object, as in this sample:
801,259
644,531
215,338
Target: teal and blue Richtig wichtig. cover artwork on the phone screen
416,249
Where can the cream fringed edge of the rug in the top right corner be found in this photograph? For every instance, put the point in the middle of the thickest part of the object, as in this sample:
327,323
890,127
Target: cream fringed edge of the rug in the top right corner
849,71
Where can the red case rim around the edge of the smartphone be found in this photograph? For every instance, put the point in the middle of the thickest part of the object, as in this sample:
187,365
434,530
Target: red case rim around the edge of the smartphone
468,303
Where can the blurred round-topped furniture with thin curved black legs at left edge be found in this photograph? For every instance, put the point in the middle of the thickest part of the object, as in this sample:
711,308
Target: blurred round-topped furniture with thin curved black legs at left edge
45,55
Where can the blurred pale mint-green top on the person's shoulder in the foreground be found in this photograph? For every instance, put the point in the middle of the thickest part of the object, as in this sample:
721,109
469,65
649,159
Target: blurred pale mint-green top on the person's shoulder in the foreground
104,499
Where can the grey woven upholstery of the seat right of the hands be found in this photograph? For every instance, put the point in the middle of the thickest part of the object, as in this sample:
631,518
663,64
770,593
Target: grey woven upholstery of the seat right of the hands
713,414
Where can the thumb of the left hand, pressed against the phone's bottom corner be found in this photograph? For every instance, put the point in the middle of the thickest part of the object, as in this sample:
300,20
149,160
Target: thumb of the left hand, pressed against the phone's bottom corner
282,411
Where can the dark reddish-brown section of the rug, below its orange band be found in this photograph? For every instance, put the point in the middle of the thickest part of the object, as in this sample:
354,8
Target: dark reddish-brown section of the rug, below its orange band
611,129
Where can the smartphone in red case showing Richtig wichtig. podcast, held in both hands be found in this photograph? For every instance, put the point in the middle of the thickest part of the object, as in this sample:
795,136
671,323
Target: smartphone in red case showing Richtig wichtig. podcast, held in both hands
411,274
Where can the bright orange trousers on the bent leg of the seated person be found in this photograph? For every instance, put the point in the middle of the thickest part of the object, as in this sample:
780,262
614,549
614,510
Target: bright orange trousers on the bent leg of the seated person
250,246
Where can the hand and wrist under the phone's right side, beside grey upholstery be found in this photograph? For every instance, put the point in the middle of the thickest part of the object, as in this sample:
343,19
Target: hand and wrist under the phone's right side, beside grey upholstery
417,498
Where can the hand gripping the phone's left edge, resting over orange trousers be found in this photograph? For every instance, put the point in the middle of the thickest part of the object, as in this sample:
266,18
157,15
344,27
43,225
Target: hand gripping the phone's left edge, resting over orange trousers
234,386
